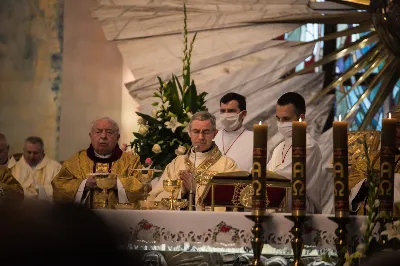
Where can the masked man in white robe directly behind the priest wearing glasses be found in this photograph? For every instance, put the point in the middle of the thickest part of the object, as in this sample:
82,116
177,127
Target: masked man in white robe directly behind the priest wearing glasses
234,140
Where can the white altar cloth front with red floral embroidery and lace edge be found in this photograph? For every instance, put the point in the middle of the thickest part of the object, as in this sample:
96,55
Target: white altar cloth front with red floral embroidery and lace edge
221,231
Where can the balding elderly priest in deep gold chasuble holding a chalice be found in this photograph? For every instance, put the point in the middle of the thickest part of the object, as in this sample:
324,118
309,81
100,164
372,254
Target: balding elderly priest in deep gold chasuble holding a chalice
76,182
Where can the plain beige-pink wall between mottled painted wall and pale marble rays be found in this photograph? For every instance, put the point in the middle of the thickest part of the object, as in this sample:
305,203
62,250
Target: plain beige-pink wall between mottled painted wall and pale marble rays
92,77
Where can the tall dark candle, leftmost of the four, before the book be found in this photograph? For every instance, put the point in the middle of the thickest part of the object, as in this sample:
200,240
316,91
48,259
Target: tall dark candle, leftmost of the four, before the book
259,172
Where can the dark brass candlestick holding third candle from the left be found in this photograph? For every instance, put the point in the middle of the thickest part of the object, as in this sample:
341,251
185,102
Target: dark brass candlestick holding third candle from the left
341,240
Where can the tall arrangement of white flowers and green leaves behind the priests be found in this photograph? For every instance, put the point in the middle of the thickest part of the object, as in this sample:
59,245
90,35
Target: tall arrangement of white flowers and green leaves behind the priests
164,134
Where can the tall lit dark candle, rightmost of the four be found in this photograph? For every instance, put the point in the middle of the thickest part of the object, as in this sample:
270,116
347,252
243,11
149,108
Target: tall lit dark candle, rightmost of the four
387,161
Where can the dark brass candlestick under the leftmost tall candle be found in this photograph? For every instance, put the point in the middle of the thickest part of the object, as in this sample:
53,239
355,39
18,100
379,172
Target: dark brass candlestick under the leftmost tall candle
257,242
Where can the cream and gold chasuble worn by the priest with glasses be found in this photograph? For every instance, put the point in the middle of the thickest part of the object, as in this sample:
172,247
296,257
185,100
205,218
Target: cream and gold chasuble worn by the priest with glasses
208,164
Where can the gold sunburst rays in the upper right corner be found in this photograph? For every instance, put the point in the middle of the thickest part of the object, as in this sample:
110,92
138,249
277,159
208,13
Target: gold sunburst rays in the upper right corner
381,28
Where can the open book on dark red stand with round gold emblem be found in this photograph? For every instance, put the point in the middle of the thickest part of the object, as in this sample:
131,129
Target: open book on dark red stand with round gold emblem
234,189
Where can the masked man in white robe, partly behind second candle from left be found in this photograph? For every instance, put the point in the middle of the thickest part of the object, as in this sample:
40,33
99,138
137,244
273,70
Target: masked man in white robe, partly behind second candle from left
291,107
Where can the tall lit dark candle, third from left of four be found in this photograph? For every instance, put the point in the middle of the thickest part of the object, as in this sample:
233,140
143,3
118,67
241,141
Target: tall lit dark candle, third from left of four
341,168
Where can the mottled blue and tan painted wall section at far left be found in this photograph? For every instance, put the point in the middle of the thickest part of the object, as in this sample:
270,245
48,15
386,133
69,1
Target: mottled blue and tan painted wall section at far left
30,71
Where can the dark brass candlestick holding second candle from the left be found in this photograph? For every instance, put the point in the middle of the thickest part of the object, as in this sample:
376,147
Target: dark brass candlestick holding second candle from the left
297,241
